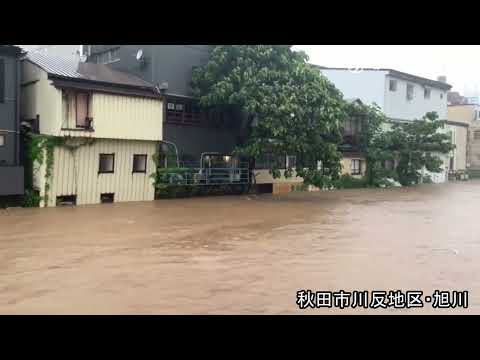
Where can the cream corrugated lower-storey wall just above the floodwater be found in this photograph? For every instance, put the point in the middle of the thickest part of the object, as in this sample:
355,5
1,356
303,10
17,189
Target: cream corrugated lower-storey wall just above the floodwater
77,172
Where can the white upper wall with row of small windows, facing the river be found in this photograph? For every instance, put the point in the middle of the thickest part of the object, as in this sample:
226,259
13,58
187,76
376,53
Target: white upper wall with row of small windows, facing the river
398,107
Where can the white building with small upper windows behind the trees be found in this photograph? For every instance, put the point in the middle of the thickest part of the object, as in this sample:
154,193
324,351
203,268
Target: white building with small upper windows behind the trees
401,96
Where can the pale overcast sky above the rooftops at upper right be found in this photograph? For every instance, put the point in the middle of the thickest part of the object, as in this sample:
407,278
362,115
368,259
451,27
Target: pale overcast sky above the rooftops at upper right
460,63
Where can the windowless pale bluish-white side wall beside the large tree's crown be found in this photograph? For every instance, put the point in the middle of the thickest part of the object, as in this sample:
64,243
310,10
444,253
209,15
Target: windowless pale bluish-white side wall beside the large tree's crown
368,86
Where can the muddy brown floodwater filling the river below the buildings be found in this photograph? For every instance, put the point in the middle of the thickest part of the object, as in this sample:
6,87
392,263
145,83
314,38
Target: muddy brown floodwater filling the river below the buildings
241,254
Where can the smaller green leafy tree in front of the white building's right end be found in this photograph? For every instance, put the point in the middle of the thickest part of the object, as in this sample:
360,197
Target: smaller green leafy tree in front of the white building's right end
417,145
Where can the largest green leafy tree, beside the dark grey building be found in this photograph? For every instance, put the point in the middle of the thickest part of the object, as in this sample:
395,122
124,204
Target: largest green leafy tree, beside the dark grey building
284,106
